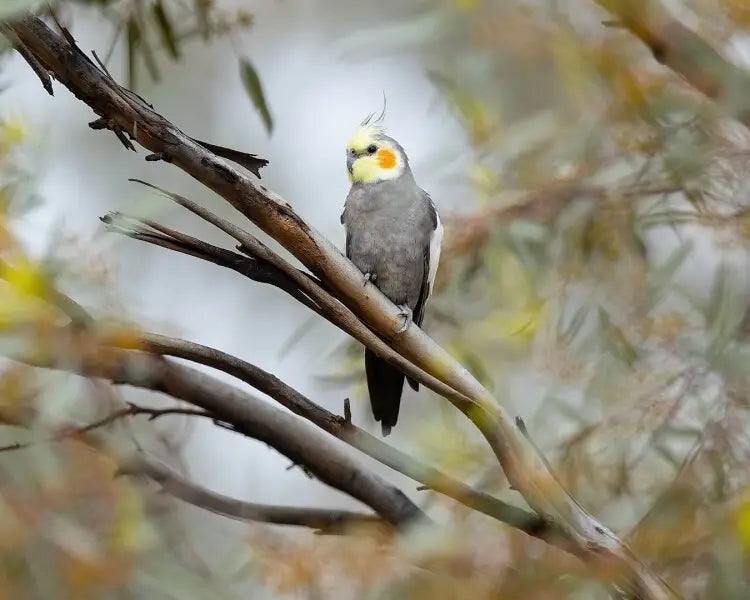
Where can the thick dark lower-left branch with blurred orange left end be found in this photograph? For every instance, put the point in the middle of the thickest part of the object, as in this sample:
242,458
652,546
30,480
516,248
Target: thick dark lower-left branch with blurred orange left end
246,414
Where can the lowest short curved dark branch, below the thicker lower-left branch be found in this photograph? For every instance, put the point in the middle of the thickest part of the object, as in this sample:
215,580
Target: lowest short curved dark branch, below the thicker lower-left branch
322,519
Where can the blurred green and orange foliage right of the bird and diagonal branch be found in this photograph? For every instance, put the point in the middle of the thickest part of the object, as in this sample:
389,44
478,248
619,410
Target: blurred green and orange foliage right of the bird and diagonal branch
581,287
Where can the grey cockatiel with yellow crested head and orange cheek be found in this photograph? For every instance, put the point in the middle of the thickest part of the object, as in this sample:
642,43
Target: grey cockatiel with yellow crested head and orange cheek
393,235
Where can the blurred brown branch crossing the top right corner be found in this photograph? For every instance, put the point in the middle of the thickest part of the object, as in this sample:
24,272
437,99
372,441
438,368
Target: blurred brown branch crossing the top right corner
685,52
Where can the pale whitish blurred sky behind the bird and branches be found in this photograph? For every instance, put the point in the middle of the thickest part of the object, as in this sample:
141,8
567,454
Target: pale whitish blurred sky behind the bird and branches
317,98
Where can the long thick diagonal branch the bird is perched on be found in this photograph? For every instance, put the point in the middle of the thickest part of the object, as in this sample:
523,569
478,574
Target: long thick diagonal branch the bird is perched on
122,111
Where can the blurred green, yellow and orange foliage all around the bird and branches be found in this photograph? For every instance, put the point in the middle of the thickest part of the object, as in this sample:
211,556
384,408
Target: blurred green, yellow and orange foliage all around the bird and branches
593,286
